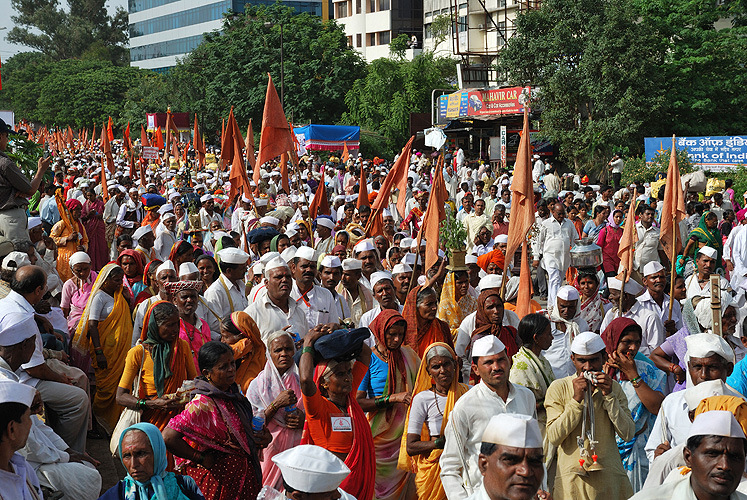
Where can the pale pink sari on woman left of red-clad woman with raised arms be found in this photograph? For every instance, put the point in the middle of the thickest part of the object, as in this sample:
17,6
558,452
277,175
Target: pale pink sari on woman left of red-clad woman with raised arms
262,392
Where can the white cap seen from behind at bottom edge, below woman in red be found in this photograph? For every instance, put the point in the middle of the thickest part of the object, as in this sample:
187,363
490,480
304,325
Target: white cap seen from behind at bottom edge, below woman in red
311,469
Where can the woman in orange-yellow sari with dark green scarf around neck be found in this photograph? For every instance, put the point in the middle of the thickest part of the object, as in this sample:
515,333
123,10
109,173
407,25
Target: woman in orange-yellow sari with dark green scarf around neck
162,362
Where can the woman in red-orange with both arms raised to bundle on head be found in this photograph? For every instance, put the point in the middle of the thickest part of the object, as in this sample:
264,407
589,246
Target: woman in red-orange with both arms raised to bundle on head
328,390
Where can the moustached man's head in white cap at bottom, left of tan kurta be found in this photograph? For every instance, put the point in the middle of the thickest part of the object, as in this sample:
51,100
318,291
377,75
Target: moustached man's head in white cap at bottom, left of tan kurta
520,476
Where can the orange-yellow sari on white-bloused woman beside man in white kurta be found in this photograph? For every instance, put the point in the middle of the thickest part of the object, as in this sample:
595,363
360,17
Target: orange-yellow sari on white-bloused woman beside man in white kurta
426,468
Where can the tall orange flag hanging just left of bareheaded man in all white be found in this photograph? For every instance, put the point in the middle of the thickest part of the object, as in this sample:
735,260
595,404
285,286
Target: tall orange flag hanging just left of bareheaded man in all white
522,199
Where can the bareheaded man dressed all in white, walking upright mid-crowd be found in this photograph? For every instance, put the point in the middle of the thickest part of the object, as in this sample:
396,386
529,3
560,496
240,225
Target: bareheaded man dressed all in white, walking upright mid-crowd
552,248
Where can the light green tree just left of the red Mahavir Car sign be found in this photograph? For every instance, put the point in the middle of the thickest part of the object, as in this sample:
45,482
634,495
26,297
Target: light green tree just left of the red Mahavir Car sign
383,100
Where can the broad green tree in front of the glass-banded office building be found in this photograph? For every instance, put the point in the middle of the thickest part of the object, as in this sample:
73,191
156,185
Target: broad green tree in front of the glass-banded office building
230,68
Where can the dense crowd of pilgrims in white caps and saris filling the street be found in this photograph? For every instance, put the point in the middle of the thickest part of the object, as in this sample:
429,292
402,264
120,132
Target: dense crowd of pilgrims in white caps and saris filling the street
241,329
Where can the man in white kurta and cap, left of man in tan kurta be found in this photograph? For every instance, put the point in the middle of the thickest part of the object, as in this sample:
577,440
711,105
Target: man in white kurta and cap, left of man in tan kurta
460,471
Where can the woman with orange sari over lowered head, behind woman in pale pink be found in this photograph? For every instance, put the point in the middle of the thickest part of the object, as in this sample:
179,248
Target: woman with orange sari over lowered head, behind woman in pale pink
241,333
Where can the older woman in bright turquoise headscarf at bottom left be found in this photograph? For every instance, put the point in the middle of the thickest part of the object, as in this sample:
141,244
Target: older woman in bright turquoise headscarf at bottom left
143,454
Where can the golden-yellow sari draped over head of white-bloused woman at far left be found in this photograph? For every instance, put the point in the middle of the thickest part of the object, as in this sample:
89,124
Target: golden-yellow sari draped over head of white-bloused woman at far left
115,334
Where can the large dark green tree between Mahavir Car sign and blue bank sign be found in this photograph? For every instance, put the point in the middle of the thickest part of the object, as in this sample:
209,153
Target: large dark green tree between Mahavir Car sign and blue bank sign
598,69
